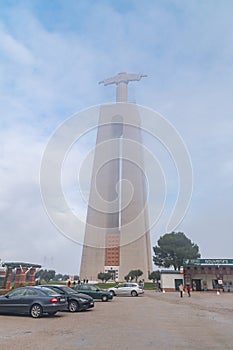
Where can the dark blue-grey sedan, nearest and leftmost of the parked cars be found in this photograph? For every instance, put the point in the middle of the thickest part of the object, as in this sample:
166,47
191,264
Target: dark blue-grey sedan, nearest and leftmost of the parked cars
33,301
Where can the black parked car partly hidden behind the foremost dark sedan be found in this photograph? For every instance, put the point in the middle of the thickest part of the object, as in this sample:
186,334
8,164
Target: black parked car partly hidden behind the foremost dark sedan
76,301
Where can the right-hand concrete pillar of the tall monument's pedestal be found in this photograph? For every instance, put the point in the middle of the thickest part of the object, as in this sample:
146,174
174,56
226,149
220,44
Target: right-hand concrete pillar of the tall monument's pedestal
135,235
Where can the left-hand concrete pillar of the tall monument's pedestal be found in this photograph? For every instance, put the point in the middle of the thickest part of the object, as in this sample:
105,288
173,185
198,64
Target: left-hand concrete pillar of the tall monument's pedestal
100,218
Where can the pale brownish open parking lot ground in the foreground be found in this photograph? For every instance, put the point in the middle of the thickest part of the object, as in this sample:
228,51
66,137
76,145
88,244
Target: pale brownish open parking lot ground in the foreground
152,321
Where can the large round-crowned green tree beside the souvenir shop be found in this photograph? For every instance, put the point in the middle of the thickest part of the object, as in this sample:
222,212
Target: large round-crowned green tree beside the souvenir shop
172,248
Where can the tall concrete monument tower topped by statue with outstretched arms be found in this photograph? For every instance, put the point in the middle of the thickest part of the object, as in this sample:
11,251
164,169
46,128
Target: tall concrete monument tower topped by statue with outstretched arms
117,237
